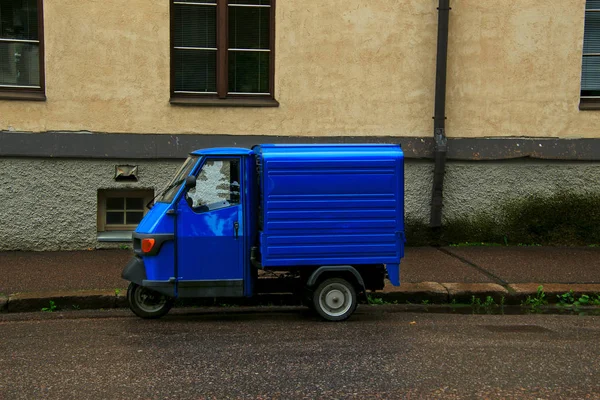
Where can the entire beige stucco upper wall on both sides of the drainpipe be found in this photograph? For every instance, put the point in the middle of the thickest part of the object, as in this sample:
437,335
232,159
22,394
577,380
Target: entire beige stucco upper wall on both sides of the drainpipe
343,67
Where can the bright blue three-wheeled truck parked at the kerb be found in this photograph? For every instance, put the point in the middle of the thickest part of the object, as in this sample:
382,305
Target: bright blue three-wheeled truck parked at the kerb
326,220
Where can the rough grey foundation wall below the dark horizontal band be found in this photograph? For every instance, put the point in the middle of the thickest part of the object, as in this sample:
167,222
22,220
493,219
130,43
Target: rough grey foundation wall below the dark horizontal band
51,204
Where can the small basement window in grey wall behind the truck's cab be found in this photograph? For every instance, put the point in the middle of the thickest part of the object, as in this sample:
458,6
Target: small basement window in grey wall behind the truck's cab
120,212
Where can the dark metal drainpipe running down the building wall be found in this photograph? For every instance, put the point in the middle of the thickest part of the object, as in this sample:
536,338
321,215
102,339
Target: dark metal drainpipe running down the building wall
439,119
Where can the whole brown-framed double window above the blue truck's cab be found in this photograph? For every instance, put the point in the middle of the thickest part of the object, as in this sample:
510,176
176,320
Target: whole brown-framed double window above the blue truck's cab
222,52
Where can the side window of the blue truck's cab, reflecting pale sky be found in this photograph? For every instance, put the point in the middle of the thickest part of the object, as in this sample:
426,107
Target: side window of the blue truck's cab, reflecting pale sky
217,186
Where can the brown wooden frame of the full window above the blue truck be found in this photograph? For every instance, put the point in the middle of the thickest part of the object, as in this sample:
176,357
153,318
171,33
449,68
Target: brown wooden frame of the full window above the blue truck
222,97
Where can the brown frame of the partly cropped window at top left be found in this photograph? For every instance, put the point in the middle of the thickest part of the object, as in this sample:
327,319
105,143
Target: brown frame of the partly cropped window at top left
29,93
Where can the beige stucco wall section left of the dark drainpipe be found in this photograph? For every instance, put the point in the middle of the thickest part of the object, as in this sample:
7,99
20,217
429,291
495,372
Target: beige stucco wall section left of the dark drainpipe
342,67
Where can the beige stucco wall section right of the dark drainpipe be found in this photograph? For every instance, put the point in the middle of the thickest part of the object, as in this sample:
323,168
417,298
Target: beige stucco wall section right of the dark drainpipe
514,69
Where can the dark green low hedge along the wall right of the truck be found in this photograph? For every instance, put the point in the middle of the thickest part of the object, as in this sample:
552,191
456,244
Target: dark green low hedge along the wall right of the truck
564,218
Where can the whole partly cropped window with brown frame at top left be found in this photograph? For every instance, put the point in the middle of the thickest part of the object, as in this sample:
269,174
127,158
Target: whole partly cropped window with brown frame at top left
21,50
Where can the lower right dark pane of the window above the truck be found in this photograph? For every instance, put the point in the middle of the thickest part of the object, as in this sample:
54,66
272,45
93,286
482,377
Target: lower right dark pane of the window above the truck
249,71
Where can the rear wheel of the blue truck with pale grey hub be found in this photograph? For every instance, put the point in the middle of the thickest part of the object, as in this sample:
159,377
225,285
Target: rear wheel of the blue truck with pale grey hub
335,299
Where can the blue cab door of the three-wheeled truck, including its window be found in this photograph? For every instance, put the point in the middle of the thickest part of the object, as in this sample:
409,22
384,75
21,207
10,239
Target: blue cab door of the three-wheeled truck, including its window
210,235
